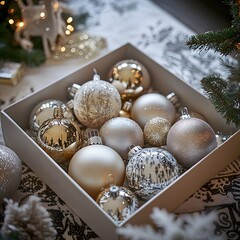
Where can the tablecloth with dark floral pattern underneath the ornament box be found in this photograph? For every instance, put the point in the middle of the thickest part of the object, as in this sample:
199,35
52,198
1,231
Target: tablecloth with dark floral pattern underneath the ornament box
162,37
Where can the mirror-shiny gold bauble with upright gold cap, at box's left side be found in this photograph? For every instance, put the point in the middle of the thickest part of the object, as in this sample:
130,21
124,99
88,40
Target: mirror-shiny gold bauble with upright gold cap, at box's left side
59,137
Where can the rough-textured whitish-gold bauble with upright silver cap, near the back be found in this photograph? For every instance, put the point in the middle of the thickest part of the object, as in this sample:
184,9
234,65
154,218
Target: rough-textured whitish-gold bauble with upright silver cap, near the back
95,102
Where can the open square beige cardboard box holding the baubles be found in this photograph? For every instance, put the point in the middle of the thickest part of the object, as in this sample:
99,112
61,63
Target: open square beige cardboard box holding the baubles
15,120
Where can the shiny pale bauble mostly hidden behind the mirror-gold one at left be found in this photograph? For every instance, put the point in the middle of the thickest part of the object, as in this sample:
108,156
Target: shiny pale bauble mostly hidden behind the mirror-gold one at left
44,110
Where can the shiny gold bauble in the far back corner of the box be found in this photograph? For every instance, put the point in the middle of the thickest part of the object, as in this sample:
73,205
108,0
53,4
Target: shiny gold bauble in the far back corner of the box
130,77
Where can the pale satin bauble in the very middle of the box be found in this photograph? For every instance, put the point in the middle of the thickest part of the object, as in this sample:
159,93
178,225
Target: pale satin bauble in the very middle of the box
120,133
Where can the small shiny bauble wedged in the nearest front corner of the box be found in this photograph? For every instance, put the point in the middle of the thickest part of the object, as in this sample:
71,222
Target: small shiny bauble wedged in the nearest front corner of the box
118,202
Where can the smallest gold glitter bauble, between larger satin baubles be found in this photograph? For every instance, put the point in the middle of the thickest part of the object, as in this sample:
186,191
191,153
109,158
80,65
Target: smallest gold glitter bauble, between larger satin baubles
156,130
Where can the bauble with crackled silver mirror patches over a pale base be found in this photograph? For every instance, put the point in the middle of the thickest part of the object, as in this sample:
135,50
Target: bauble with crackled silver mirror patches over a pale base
150,170
